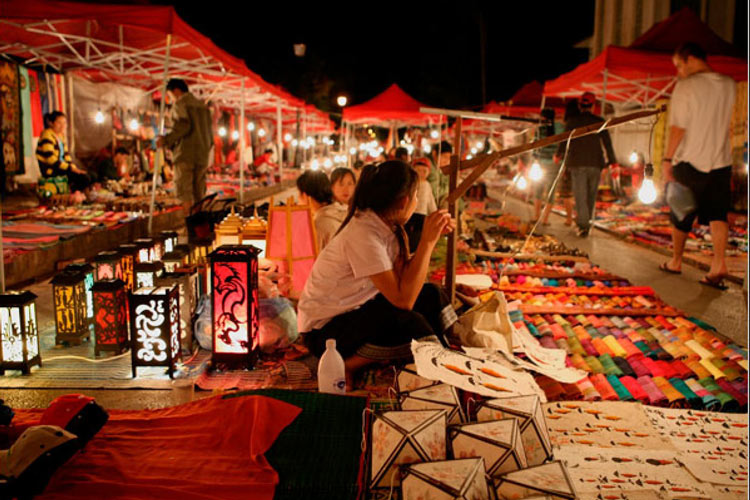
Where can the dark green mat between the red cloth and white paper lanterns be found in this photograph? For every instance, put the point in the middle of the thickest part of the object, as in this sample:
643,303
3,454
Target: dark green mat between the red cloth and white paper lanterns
318,455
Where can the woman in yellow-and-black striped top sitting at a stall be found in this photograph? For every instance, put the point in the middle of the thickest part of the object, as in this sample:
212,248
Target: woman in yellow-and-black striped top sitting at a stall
53,155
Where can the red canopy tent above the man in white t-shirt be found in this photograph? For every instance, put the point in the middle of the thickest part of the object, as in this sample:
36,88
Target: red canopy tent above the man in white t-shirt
642,73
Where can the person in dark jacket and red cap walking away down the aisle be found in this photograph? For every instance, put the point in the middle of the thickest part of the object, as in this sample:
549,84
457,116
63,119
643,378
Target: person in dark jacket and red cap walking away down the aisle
586,161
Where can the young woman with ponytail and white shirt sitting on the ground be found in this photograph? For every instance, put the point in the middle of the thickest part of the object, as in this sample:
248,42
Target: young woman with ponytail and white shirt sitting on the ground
365,289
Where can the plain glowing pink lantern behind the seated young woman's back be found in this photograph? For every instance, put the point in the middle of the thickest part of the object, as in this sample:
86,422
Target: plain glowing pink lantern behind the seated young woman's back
291,242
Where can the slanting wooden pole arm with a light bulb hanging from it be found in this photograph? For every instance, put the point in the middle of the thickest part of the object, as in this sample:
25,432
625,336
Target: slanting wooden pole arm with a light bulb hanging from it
482,162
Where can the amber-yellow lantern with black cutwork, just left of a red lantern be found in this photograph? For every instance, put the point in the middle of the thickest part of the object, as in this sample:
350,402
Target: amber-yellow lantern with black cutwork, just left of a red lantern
71,309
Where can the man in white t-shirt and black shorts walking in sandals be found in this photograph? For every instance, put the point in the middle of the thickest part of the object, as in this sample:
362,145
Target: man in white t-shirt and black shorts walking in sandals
700,114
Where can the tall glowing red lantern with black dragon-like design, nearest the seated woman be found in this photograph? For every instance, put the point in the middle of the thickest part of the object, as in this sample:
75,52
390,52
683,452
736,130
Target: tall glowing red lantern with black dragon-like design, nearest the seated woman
234,304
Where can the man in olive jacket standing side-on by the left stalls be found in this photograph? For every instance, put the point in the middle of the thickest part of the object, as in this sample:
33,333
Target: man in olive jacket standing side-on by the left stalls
190,140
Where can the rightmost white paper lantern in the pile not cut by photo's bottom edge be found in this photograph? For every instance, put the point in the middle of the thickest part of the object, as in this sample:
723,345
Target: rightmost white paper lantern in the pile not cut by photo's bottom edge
528,410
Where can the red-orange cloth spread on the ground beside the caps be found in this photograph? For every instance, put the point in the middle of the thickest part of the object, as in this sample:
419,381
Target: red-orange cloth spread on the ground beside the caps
212,448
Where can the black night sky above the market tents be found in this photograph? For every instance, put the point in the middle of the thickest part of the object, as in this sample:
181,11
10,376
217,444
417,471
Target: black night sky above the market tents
431,49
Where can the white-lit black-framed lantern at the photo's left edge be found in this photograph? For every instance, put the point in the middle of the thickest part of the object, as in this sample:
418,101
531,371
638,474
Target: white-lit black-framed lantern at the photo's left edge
19,334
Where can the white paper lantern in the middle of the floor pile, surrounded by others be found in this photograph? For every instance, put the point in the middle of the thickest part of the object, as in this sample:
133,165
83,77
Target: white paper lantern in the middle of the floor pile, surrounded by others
499,443
